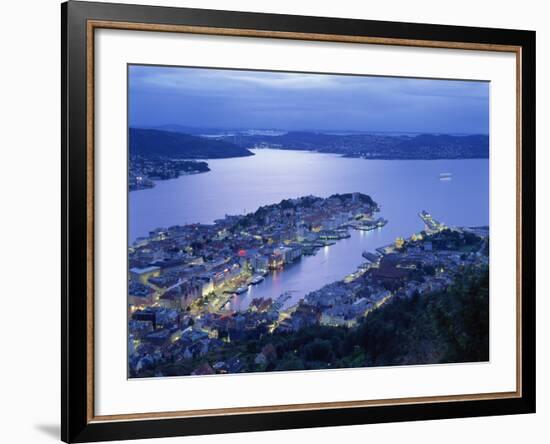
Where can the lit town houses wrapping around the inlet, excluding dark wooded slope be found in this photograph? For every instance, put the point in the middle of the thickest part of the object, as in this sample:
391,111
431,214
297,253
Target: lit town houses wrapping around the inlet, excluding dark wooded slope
178,275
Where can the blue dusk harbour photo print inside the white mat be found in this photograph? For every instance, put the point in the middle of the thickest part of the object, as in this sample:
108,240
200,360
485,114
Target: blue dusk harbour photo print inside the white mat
286,221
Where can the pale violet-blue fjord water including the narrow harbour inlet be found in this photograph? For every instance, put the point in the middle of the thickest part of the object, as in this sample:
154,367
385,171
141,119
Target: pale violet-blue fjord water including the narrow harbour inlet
401,187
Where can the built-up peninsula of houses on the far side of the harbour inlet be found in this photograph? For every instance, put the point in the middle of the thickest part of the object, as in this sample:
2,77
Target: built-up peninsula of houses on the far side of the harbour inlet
184,263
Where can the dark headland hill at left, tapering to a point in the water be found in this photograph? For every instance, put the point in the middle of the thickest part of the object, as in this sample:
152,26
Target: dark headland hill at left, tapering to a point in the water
176,145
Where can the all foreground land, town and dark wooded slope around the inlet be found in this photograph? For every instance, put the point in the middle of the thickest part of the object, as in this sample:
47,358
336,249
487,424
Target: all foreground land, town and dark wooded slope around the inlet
182,280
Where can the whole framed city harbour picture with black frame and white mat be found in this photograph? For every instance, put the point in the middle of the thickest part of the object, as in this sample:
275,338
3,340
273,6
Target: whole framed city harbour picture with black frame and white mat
275,221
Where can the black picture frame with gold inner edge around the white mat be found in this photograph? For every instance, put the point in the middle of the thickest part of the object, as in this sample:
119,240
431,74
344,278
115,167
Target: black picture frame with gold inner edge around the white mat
76,424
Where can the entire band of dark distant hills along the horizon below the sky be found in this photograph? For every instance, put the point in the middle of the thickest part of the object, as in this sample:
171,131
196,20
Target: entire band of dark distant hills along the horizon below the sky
176,143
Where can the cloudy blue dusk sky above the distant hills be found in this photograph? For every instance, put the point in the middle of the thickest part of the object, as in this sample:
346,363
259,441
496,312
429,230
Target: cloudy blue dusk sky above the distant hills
233,99
